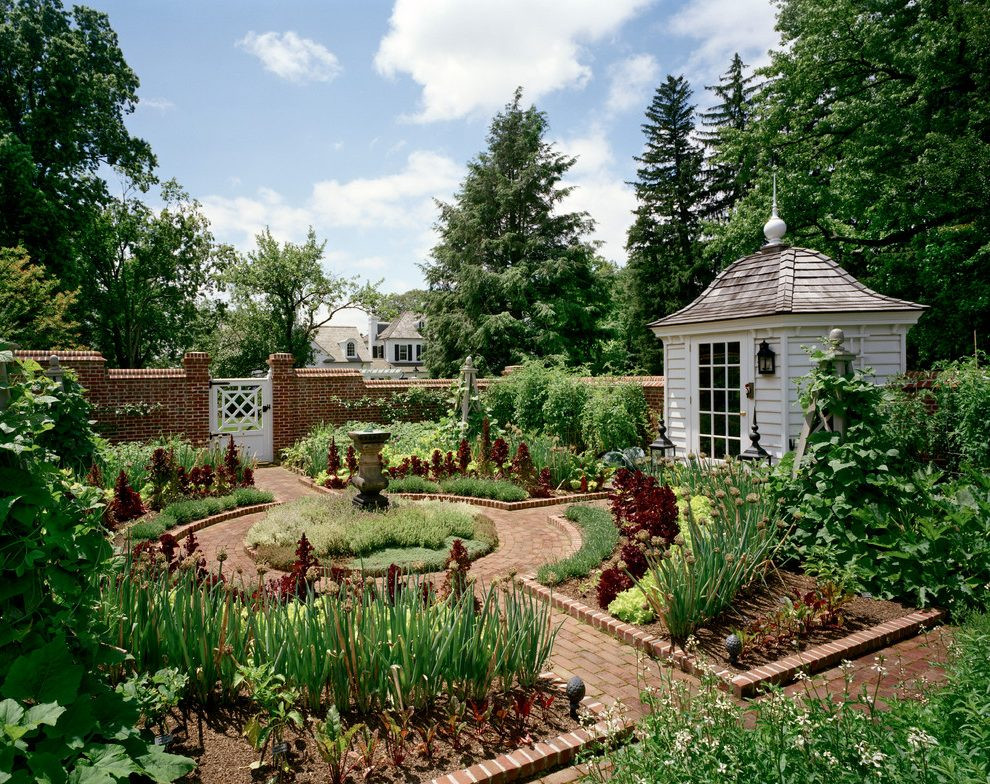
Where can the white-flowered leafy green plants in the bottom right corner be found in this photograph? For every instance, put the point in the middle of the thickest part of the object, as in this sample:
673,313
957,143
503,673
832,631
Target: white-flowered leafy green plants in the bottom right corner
704,737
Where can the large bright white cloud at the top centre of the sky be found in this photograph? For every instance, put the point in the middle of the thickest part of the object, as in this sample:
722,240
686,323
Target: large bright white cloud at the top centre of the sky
469,56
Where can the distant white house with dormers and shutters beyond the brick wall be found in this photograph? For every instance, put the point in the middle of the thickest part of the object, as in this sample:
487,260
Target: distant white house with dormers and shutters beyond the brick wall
388,349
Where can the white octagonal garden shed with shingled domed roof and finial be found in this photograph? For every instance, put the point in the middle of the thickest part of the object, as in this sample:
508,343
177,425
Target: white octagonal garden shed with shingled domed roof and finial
780,299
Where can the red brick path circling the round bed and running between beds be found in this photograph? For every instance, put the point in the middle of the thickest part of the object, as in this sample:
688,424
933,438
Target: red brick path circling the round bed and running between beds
612,671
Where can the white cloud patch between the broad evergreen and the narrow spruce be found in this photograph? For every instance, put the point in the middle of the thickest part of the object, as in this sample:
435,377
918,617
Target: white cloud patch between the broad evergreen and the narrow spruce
599,191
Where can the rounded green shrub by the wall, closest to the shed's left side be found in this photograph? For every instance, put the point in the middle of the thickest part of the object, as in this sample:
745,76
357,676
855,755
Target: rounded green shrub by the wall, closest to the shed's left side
614,417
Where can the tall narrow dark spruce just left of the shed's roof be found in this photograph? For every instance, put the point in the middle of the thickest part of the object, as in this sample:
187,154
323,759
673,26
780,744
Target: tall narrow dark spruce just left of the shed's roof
666,269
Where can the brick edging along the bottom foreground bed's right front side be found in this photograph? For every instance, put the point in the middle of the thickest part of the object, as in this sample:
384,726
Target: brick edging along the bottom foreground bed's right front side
541,756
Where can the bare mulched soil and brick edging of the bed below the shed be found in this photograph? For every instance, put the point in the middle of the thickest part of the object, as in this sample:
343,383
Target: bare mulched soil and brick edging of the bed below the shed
871,625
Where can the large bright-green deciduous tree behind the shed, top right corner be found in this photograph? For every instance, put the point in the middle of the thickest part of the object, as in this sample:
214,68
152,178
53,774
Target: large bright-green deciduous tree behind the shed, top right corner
877,118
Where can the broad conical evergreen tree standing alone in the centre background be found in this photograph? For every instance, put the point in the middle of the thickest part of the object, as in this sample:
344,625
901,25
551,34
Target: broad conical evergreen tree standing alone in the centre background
512,276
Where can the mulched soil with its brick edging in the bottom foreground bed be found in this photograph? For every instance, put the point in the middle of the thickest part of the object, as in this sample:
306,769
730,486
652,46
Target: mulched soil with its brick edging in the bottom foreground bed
550,738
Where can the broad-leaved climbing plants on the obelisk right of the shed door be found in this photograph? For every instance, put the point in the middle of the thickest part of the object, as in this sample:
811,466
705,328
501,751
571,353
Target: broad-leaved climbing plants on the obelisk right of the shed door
857,505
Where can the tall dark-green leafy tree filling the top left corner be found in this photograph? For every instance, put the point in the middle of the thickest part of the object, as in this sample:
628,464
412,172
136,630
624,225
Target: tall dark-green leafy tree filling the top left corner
64,91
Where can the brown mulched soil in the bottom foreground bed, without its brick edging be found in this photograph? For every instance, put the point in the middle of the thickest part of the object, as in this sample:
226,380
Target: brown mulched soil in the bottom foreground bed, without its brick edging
223,755
